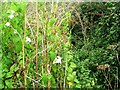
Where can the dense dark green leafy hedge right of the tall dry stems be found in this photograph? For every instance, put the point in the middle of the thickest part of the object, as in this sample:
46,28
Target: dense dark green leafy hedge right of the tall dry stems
102,23
